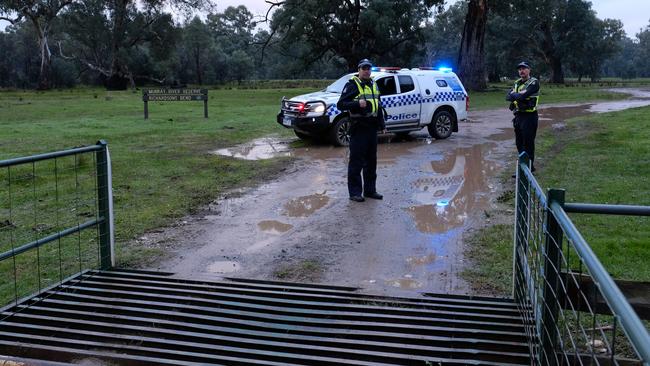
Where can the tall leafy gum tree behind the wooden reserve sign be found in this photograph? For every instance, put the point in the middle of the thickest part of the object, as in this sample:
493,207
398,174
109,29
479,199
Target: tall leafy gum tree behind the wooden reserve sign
123,32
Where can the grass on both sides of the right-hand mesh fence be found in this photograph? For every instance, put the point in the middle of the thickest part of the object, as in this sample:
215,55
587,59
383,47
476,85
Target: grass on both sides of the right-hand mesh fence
602,158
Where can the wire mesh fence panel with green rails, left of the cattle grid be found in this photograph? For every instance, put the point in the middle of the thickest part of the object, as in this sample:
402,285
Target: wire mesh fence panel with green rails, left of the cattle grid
51,219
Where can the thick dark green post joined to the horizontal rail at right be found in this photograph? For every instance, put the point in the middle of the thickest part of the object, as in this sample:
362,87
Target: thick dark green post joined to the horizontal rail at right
551,273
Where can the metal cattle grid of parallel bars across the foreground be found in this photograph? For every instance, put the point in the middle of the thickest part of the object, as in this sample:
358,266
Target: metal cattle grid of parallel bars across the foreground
143,318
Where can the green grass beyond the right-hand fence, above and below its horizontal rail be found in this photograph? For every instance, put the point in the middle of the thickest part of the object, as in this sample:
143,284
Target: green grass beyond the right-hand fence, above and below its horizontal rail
606,159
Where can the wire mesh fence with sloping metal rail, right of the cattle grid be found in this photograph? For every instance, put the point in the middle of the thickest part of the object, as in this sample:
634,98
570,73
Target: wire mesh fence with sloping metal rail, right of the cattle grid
573,311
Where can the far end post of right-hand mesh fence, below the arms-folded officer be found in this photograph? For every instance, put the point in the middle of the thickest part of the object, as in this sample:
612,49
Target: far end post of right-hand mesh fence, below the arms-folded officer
522,200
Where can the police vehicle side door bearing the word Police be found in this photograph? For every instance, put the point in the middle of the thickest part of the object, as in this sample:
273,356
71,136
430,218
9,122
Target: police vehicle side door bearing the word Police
403,108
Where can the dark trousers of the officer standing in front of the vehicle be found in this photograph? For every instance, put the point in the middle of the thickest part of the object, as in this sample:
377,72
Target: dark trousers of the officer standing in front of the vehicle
363,158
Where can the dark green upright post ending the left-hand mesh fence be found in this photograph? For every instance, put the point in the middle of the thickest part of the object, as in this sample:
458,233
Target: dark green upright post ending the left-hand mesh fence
105,207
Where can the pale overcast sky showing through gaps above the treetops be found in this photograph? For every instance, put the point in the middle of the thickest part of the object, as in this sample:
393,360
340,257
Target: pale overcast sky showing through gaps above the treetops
635,14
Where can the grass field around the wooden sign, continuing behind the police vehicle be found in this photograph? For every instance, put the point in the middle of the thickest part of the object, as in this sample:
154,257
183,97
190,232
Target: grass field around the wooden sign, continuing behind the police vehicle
162,166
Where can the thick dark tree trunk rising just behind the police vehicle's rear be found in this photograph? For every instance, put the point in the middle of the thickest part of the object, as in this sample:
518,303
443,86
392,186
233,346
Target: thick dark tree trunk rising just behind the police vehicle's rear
471,58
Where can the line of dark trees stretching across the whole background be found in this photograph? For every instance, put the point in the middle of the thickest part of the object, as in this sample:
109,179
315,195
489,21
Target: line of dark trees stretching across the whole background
124,43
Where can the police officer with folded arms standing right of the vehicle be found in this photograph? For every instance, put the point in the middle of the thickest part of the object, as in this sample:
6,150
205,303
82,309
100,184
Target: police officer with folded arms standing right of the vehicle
523,98
